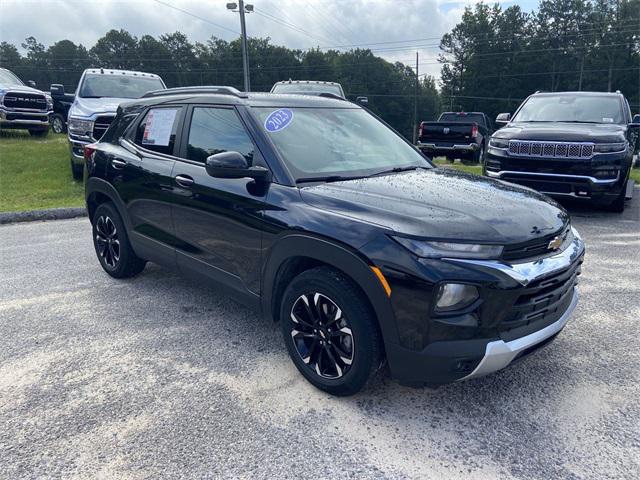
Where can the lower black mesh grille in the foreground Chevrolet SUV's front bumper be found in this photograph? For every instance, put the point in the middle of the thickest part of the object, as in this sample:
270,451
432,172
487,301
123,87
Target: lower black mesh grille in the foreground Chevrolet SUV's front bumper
544,301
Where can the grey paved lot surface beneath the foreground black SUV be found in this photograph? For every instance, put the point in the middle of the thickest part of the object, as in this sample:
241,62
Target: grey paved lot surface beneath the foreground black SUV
158,377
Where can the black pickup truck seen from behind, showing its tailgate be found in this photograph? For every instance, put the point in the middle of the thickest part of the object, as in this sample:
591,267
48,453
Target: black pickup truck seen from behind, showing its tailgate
460,135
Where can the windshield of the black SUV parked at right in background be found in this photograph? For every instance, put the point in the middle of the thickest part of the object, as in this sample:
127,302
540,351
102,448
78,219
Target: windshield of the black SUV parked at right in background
571,108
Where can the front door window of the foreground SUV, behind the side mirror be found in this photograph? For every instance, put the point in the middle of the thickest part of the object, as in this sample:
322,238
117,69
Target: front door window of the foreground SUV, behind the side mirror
216,130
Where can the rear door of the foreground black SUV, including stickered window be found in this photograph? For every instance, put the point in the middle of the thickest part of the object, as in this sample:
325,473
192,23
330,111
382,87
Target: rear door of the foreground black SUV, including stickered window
141,173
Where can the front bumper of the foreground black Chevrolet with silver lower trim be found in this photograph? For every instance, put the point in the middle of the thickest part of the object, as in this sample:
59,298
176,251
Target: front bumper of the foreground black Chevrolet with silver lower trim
523,306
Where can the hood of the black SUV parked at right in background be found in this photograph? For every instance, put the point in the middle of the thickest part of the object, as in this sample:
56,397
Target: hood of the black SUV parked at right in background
563,132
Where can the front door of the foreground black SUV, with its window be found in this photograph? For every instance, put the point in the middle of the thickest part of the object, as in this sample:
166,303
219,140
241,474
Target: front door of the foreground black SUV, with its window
218,221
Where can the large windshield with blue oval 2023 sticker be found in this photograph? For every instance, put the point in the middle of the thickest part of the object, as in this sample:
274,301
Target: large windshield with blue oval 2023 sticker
321,142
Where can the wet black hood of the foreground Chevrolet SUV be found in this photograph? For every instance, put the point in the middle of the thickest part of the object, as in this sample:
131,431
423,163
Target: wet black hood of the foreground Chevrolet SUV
443,204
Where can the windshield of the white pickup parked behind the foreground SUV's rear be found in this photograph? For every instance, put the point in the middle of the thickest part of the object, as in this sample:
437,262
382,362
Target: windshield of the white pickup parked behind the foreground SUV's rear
118,86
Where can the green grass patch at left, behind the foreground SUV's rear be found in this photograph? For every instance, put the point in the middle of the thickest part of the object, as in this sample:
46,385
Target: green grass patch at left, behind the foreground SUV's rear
35,173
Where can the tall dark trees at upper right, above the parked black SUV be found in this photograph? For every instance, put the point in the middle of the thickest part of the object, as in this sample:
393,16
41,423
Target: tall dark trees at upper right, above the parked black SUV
507,54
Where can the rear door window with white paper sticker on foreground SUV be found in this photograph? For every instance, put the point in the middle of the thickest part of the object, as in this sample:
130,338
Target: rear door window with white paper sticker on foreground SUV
157,130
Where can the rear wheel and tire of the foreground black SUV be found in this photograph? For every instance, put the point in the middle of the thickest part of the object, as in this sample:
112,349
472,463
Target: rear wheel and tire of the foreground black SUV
111,243
